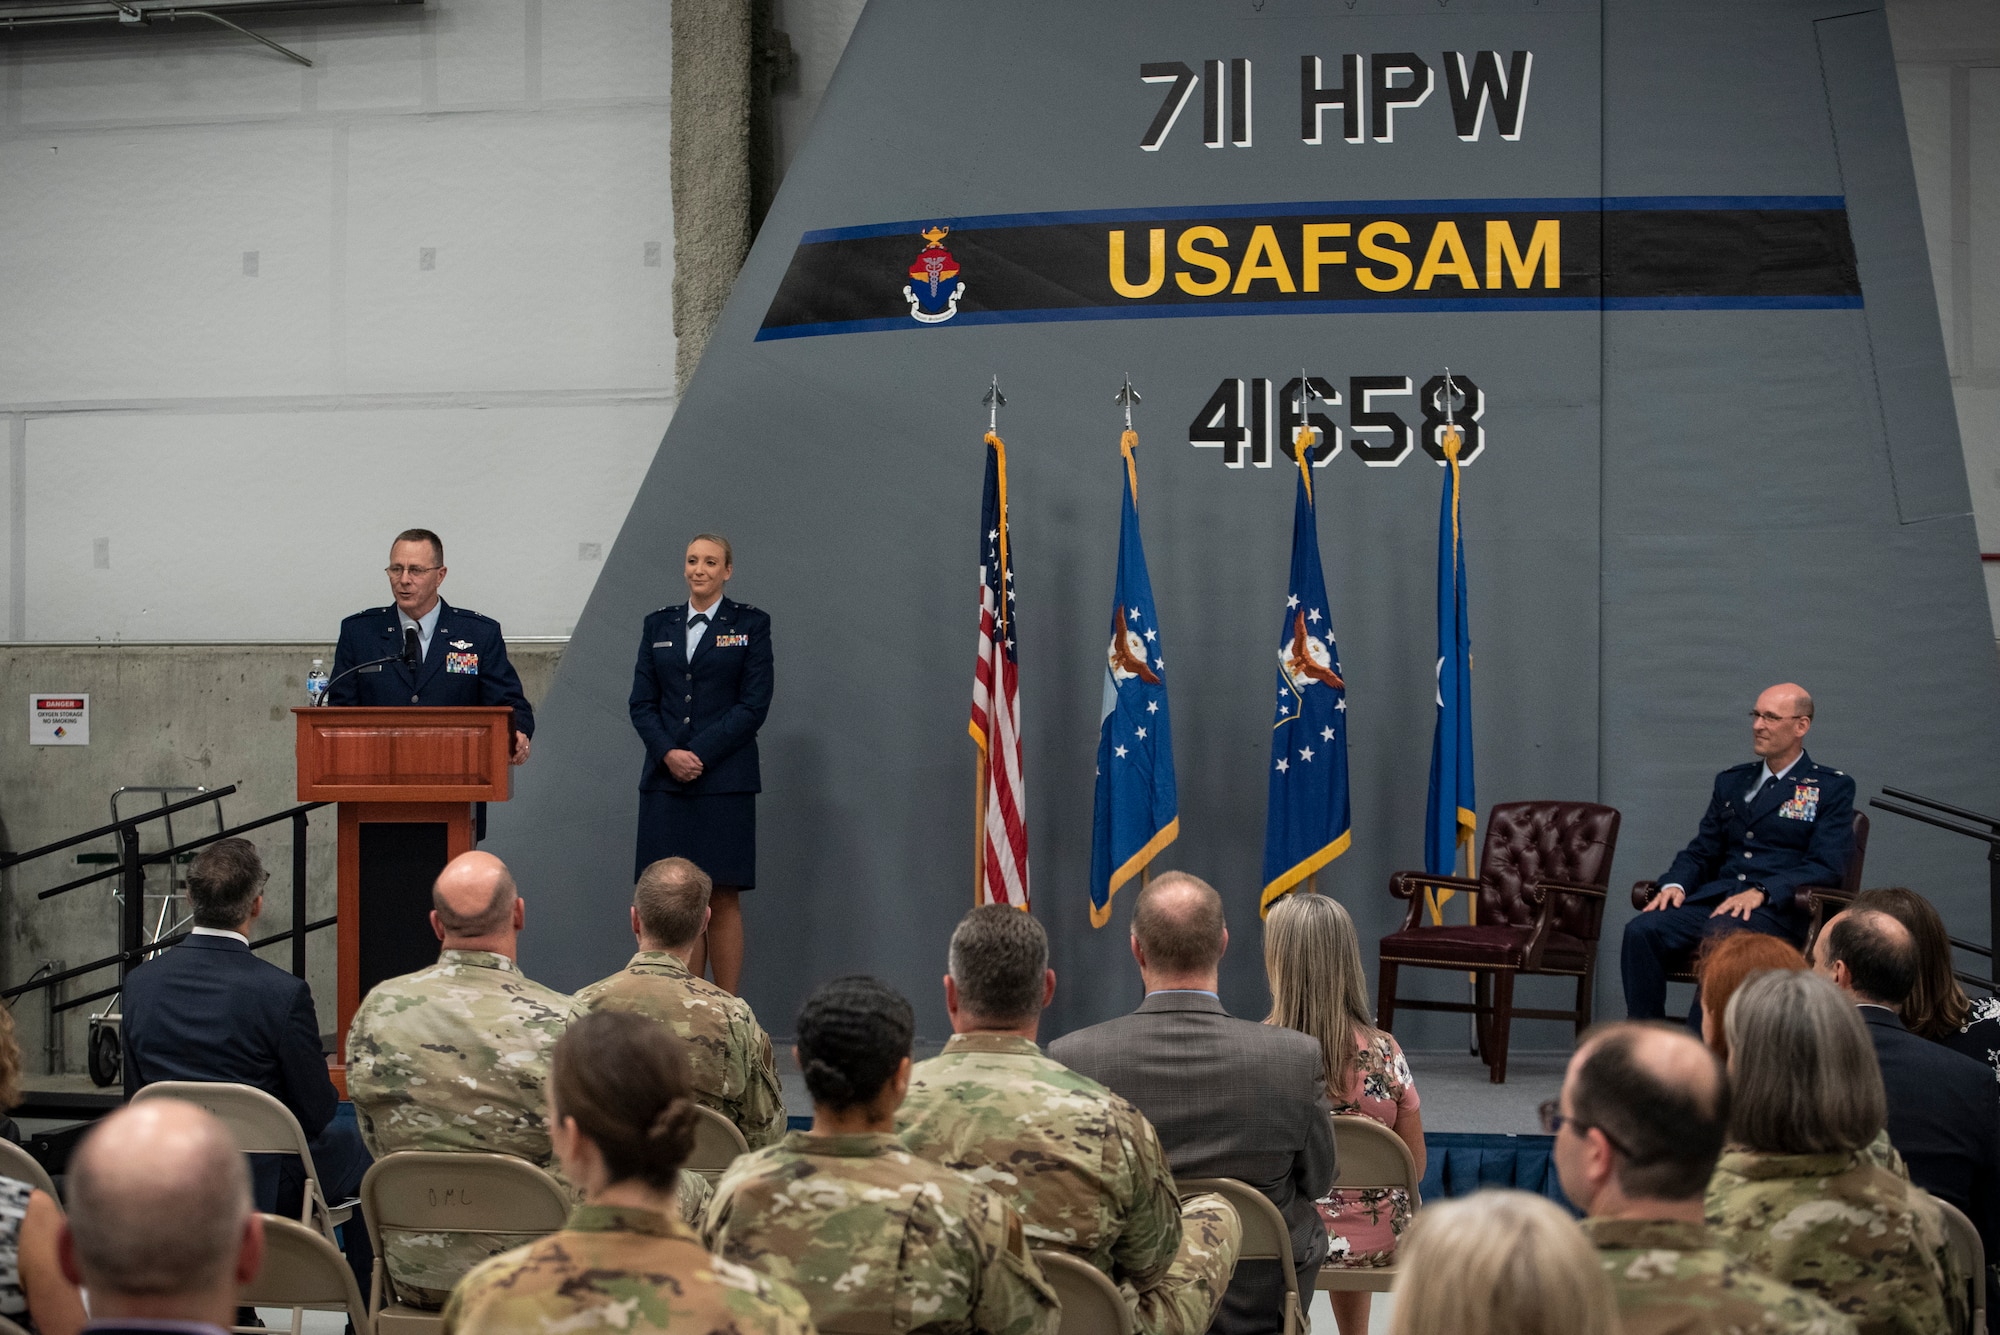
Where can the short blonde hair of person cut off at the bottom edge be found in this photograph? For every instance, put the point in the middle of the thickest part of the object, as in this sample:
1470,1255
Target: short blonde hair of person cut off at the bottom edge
1517,1266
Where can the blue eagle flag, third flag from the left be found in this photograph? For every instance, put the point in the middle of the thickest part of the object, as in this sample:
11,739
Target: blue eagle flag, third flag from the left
1307,822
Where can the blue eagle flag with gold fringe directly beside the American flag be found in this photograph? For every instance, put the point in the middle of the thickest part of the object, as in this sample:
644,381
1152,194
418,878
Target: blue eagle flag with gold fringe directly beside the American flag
1137,808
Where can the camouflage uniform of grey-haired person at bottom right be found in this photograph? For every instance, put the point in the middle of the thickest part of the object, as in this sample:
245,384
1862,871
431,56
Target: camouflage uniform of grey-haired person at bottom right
1843,1230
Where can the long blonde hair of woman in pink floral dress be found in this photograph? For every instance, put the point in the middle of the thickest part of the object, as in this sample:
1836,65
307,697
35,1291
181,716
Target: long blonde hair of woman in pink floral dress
1317,984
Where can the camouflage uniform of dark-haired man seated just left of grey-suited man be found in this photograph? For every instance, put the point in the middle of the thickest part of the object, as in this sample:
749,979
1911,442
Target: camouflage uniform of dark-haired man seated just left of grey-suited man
1083,1168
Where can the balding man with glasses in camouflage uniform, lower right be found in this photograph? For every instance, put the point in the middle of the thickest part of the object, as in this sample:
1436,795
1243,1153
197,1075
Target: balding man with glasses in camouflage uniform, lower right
1639,1130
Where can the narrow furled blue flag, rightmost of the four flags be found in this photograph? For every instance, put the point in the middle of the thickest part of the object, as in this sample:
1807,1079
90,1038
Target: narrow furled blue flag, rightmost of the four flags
1453,812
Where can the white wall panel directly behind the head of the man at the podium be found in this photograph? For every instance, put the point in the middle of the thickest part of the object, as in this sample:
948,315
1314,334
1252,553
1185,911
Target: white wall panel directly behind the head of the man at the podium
201,515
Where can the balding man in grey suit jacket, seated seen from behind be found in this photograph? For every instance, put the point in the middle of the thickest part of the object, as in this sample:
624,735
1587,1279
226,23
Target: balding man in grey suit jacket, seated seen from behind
1231,1098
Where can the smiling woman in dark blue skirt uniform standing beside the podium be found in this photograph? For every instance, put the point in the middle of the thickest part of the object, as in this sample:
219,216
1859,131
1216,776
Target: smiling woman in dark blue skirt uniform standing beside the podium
699,694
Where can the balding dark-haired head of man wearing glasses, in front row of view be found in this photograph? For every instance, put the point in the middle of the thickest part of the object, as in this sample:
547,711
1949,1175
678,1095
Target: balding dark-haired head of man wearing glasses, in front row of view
1659,1100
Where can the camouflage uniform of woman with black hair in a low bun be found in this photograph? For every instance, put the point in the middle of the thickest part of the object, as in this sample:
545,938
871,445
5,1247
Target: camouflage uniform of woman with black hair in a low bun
881,1240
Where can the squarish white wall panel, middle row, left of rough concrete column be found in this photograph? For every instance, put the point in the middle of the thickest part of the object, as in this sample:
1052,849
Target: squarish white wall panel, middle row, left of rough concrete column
537,229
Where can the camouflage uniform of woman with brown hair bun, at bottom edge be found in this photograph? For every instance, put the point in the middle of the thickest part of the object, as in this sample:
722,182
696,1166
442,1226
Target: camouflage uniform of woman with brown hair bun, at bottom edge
615,1268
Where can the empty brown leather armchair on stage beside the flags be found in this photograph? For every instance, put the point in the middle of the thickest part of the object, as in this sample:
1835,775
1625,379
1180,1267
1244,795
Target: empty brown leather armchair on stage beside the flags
1545,868
